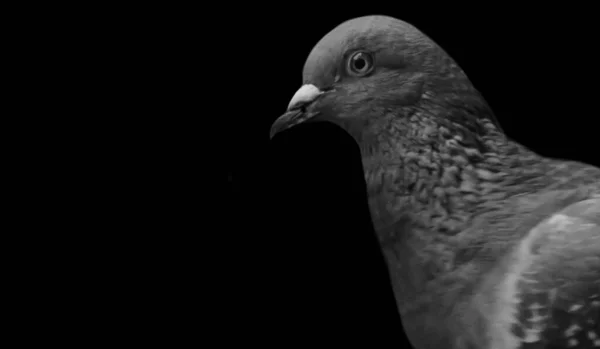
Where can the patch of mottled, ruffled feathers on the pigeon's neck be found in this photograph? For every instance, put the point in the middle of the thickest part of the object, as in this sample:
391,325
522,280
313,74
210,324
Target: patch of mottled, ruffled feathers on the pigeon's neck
445,178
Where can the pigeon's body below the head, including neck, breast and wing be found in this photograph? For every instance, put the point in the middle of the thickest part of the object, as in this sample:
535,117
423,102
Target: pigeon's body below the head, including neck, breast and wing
482,241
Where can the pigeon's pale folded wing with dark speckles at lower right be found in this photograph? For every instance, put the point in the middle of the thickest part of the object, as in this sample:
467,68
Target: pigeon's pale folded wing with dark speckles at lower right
550,296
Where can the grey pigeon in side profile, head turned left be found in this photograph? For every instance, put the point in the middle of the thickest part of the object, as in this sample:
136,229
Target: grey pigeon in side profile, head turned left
488,244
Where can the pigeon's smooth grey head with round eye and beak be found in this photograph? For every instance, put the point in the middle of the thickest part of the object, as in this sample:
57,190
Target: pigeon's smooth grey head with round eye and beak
372,71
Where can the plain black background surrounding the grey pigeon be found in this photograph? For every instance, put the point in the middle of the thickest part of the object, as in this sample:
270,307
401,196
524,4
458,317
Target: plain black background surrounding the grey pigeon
181,93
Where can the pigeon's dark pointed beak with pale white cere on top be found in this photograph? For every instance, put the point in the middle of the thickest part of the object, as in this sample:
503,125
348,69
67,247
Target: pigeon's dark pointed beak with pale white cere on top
296,114
